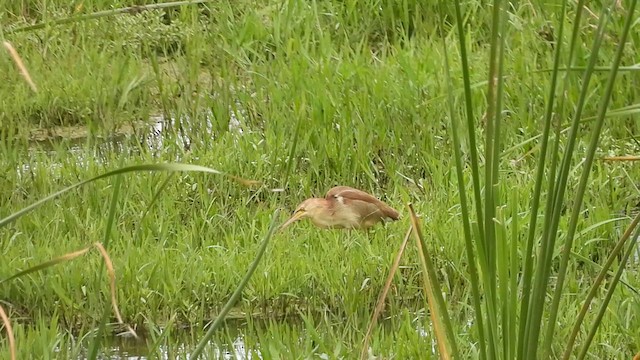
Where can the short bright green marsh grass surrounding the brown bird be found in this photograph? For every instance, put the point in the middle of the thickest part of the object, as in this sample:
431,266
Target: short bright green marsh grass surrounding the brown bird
326,93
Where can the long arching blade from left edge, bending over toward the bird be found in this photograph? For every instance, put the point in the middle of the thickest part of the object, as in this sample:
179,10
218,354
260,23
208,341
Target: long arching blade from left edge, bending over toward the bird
127,169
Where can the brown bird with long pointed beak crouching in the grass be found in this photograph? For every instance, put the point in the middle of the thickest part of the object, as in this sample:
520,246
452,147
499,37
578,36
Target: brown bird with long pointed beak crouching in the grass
344,207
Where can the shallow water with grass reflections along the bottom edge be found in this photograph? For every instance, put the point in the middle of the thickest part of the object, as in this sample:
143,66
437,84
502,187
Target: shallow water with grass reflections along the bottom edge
239,340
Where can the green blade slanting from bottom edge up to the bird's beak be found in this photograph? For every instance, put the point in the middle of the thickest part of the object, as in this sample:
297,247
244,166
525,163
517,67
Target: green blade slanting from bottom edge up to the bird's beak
238,292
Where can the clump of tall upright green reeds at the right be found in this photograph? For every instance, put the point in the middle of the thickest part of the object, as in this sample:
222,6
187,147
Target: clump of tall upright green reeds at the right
497,289
